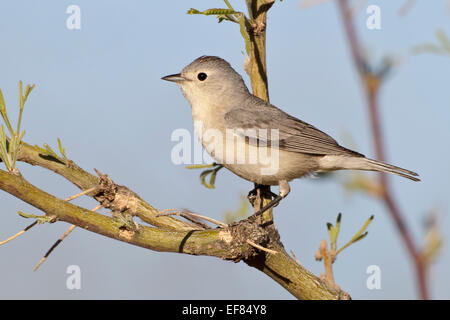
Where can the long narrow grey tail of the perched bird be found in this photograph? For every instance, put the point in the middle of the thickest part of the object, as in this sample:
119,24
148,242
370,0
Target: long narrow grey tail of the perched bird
332,162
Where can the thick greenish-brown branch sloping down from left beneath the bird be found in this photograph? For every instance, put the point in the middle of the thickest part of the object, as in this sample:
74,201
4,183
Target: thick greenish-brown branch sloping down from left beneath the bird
226,243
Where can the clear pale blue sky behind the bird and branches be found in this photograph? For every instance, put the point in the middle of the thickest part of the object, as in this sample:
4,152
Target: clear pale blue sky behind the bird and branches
99,90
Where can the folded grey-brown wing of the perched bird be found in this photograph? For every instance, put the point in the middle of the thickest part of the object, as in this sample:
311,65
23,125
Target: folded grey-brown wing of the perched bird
293,134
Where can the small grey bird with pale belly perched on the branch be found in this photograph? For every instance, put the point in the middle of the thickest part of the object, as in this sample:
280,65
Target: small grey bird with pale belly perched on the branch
256,140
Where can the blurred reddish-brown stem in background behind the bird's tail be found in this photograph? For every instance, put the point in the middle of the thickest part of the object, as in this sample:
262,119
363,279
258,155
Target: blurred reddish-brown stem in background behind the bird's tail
372,102
